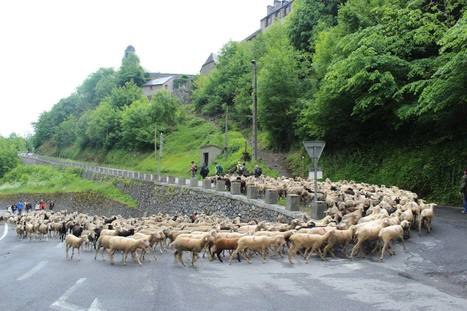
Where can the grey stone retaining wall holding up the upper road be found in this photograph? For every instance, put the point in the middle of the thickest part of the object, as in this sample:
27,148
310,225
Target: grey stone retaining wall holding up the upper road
156,197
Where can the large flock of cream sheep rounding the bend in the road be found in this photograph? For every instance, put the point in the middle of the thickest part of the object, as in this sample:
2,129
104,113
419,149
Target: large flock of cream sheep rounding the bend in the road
369,217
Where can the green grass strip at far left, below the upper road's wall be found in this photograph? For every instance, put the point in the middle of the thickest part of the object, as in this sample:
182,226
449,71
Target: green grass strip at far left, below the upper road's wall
46,179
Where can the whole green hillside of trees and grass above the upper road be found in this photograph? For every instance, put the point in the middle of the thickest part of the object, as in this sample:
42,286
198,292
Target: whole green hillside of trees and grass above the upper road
382,82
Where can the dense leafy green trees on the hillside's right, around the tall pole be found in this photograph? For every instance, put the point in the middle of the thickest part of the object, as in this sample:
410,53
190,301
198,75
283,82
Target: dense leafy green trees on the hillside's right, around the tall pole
381,81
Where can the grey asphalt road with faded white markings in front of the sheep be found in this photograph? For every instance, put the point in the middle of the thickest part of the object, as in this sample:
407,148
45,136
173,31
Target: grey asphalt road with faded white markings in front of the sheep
431,275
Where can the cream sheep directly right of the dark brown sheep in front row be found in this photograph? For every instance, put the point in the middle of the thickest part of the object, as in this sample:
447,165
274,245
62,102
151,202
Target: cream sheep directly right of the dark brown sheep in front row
256,243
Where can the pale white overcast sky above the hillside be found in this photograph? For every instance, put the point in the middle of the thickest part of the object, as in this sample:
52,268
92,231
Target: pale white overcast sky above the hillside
49,47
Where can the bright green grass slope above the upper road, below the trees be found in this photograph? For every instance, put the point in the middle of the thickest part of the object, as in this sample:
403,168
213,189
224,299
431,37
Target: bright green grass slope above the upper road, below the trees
180,148
